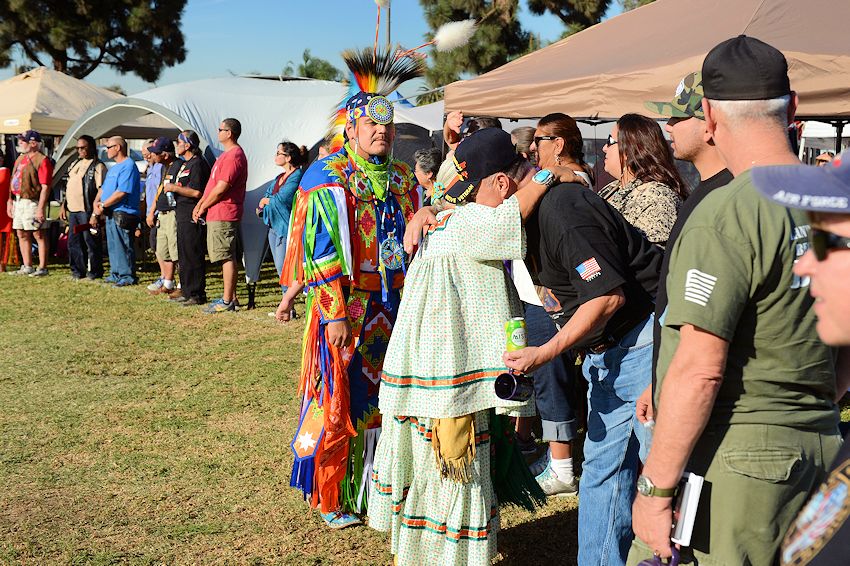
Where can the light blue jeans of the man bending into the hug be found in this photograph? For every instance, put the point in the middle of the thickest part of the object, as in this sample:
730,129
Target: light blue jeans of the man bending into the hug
616,378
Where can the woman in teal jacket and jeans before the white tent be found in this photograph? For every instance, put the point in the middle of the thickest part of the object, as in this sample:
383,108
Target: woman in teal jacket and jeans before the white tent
275,207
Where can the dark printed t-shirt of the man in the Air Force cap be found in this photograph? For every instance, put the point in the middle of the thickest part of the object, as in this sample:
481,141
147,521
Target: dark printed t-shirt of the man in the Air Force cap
820,536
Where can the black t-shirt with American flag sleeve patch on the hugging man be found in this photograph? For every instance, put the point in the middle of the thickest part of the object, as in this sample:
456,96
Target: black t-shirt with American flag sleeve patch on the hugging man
586,250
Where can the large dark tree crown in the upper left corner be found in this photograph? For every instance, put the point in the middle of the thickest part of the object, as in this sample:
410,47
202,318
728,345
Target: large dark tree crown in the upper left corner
131,36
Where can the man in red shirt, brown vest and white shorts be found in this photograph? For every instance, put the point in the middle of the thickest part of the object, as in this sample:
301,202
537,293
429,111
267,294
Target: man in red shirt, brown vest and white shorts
27,204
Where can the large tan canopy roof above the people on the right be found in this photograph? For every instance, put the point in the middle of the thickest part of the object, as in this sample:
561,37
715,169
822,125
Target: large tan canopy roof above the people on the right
611,68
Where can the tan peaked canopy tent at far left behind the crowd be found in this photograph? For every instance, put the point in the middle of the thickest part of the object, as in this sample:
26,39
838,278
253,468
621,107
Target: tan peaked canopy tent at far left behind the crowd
49,101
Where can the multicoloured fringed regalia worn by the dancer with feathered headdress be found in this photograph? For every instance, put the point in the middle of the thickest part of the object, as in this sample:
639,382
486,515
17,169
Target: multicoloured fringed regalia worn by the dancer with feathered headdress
344,245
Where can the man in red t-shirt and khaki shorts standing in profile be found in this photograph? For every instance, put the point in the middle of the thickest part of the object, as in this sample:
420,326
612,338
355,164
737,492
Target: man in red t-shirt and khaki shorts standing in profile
222,204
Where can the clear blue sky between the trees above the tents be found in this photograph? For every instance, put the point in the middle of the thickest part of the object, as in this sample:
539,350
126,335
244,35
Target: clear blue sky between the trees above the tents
227,36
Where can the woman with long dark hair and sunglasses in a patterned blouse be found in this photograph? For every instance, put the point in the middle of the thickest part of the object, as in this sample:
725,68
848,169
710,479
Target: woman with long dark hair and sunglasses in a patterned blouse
647,188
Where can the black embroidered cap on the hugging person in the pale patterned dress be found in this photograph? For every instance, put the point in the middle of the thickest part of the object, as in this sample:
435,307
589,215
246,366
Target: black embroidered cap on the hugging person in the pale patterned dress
483,153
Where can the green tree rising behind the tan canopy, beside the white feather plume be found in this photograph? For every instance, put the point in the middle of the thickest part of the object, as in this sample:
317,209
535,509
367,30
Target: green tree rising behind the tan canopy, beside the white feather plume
498,39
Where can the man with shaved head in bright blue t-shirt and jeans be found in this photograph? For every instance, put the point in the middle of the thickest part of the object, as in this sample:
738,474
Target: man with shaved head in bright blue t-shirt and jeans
118,201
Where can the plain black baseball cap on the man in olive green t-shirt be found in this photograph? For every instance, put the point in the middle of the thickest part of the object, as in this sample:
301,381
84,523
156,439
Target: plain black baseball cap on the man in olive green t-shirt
745,68
